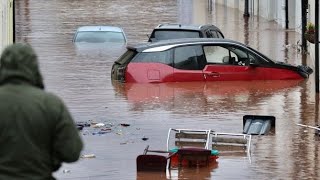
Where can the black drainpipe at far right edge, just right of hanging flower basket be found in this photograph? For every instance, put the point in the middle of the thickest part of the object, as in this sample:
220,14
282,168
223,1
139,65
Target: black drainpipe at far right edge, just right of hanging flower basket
316,11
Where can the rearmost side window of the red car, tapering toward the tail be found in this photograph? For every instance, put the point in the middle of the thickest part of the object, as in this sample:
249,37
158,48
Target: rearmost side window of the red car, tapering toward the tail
154,57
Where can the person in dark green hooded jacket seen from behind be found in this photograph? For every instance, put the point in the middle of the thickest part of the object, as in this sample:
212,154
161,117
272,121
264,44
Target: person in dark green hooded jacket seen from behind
37,132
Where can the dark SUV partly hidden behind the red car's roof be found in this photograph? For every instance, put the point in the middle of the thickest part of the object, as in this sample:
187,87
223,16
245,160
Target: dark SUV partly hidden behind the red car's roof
177,31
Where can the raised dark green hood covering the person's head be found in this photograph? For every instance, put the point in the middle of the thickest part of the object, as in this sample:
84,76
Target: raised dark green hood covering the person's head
18,63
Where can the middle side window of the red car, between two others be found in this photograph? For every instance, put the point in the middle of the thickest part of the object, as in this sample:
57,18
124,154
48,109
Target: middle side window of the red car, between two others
188,57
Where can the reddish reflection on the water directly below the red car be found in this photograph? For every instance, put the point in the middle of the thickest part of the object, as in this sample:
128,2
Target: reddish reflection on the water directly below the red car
201,96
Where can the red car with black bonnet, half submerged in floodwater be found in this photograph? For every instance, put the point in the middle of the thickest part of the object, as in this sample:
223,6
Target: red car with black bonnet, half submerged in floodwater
200,59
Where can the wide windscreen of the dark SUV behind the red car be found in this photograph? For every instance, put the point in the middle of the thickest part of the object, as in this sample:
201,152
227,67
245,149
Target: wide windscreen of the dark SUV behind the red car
174,34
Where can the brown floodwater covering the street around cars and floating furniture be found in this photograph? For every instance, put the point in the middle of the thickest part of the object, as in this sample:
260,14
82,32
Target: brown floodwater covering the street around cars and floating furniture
81,76
